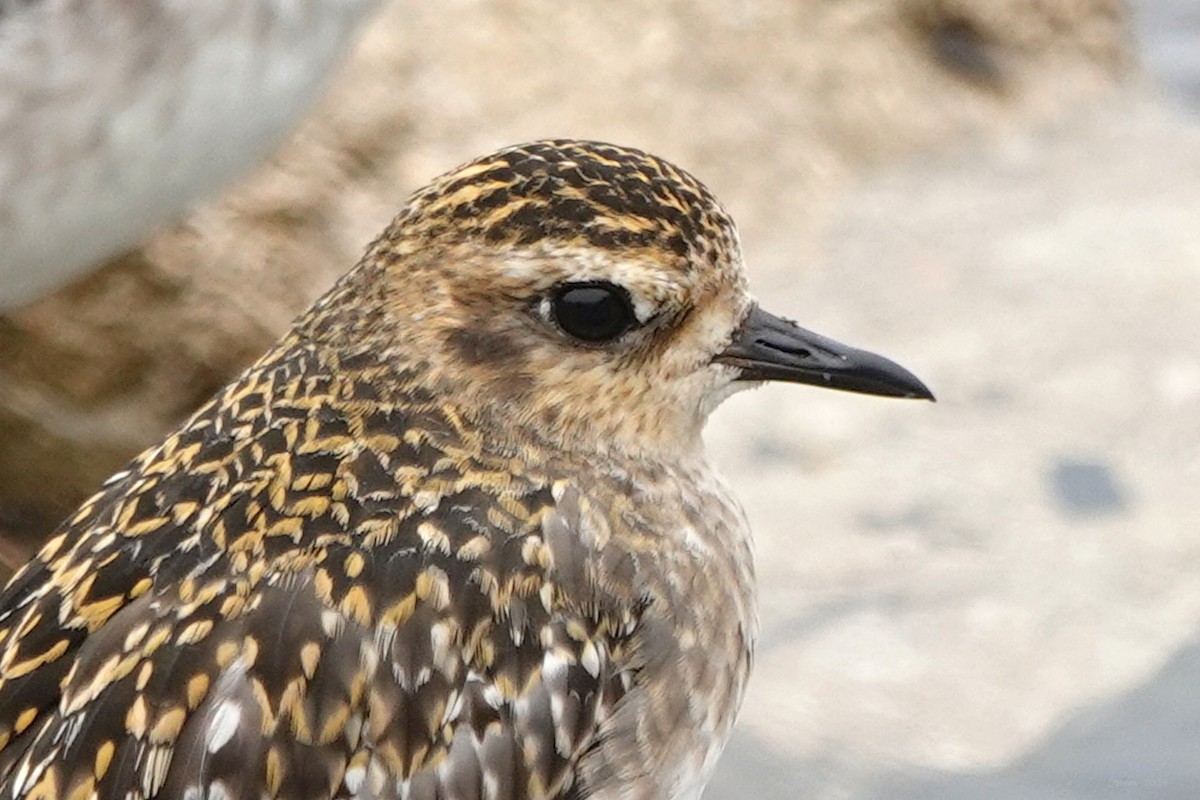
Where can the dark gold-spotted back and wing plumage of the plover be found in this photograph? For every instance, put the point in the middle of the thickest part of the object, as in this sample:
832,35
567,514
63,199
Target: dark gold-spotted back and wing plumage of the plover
232,618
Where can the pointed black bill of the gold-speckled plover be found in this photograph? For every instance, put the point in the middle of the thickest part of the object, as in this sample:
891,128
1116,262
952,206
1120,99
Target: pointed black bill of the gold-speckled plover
770,348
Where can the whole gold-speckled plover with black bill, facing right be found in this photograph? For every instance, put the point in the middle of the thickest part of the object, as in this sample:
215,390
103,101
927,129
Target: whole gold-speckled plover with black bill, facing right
454,538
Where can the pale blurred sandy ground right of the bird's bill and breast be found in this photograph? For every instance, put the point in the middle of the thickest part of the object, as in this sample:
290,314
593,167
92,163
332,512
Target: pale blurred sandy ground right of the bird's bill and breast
994,597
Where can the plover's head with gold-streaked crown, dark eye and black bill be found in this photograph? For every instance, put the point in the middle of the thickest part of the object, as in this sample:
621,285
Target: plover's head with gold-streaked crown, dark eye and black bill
590,294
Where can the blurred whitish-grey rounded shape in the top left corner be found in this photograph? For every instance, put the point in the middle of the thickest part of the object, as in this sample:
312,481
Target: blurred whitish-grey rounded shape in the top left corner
117,115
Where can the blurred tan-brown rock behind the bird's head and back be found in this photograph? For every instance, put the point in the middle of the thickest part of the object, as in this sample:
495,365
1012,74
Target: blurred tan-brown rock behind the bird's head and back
758,99
